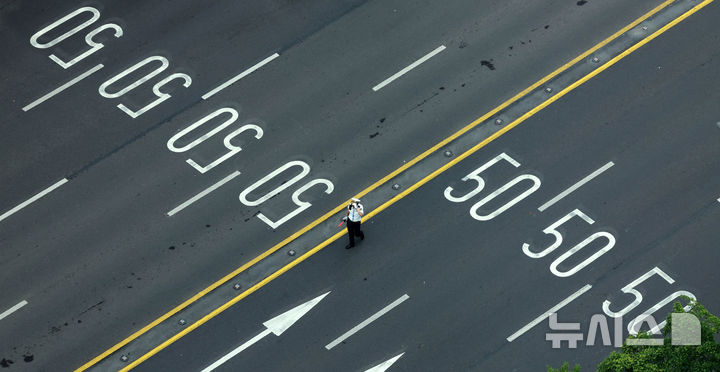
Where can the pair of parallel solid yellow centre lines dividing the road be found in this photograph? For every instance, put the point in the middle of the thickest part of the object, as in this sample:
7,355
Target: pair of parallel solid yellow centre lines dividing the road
399,196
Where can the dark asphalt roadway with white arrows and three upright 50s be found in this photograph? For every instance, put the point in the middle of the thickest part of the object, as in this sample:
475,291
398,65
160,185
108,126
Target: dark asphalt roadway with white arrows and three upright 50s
470,283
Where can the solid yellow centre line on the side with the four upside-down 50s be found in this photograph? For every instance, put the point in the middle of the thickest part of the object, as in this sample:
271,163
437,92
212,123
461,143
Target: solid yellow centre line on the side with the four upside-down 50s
372,187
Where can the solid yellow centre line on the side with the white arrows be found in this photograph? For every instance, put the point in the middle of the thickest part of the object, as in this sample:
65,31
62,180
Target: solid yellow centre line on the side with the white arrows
401,195
